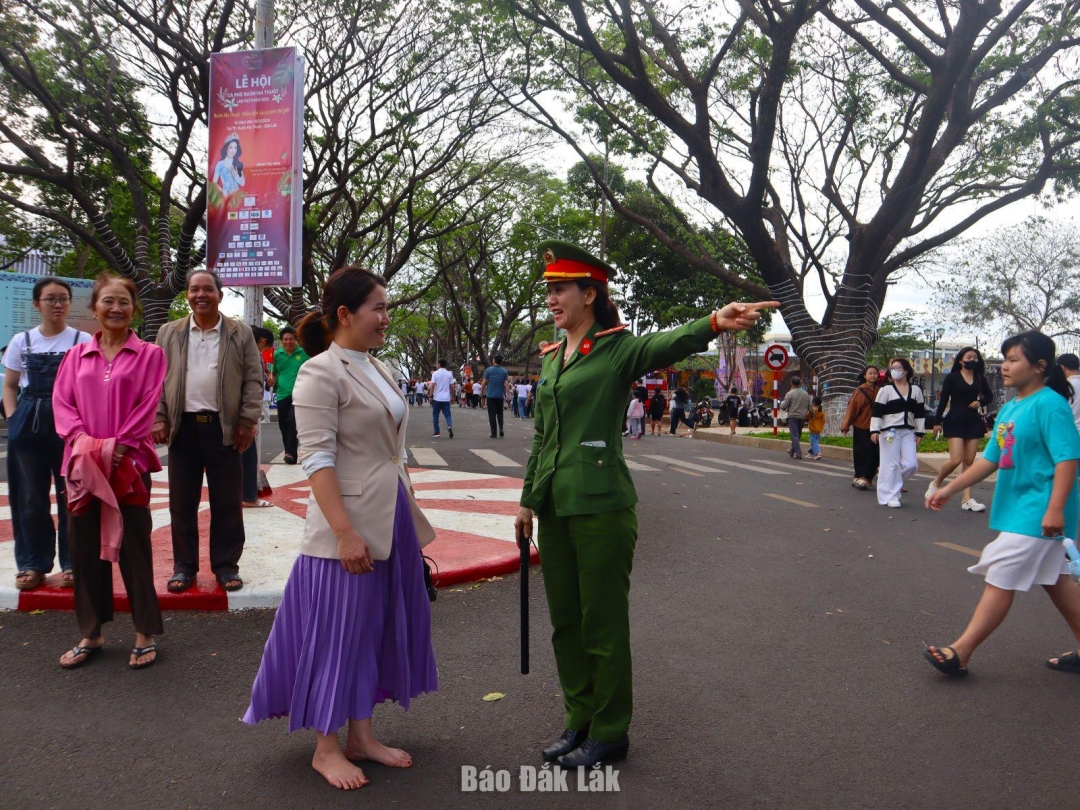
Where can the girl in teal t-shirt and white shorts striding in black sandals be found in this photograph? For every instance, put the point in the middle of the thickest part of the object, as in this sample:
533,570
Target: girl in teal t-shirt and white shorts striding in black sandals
1034,450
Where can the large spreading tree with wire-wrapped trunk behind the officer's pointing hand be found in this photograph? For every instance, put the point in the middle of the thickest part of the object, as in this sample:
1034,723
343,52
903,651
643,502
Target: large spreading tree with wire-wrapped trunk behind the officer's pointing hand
842,142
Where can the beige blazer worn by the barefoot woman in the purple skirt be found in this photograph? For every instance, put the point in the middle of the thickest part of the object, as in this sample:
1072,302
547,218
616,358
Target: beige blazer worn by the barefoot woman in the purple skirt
339,409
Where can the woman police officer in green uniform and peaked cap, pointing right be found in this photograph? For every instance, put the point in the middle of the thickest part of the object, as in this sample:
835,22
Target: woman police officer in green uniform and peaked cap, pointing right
580,490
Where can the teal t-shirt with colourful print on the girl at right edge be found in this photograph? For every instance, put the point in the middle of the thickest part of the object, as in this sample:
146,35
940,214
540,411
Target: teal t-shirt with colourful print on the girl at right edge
1031,437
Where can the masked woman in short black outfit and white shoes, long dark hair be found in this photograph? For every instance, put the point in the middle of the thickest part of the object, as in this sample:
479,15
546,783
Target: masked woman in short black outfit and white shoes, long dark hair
964,391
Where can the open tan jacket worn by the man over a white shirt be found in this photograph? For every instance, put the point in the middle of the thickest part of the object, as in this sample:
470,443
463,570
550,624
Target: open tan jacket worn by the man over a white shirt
239,381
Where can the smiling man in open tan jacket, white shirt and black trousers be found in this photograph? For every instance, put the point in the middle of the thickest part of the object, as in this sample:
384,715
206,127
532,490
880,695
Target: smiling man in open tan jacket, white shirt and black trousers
209,415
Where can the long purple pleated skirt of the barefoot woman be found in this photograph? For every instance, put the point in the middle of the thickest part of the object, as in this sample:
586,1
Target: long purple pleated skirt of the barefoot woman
342,643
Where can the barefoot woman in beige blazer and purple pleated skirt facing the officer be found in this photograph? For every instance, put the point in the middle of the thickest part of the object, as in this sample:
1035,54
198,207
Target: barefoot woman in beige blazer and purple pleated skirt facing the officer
354,628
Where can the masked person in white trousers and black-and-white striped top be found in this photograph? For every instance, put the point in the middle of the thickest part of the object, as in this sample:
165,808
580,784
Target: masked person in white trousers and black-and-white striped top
897,427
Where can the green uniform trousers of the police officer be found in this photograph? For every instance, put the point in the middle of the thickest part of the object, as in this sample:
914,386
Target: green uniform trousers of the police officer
587,563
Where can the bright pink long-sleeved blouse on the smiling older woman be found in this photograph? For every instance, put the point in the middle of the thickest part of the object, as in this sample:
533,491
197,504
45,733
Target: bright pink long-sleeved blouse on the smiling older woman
112,400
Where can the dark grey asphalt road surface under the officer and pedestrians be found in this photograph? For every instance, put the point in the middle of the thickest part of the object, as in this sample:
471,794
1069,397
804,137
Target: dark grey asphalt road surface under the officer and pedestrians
777,665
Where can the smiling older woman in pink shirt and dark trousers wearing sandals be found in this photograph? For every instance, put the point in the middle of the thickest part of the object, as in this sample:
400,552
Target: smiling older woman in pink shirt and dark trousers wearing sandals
105,399
